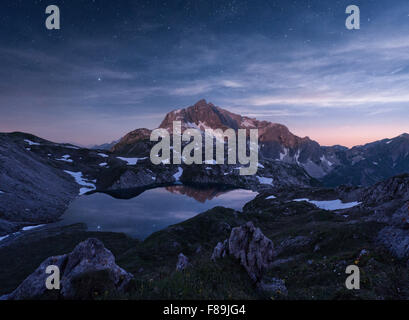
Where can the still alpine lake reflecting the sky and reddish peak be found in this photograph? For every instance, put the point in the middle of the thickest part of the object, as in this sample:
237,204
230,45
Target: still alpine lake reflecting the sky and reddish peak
152,210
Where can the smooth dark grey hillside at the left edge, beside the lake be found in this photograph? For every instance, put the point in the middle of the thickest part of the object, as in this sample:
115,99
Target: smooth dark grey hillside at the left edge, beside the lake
32,190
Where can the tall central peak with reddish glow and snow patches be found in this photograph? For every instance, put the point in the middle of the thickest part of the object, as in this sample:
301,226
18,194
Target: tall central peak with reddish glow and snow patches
276,141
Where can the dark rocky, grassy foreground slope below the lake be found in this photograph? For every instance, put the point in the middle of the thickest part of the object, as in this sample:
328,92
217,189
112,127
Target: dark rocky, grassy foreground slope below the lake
275,248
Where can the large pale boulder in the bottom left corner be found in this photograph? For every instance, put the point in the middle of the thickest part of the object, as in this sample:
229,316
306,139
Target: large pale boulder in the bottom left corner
88,271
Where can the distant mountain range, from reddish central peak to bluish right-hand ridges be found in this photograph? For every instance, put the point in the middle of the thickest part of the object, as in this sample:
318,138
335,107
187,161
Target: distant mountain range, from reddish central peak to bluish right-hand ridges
334,165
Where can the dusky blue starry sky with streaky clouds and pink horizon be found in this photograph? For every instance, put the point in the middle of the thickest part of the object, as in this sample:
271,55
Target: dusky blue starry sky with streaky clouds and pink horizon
115,66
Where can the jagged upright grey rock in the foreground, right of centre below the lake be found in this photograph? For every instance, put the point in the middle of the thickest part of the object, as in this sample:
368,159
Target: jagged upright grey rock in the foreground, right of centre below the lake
248,245
